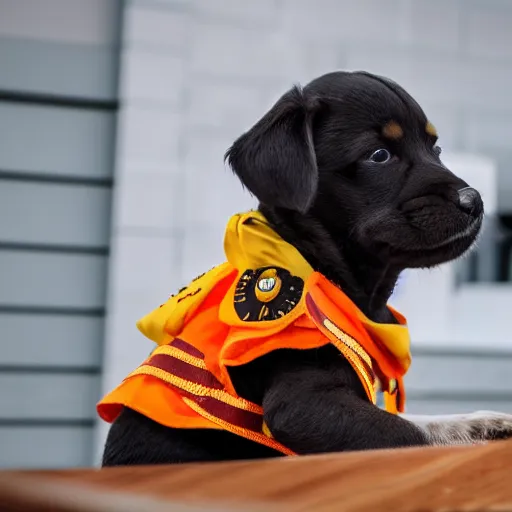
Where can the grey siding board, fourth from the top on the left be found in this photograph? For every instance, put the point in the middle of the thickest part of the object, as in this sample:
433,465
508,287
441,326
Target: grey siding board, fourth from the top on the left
31,279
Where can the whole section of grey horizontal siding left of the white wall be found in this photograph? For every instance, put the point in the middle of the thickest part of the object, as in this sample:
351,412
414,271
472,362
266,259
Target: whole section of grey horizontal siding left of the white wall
58,107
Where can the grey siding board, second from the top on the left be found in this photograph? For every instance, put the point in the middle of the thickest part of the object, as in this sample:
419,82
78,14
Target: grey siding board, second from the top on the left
57,141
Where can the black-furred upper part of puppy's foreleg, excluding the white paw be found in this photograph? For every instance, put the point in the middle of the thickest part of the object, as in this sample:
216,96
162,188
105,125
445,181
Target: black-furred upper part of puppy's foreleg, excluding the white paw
314,402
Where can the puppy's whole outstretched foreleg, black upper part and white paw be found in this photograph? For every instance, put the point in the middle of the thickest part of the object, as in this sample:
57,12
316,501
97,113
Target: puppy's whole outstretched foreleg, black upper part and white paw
314,403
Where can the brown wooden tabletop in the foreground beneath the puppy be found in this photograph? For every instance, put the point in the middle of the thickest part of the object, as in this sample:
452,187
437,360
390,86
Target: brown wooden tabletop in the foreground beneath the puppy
419,479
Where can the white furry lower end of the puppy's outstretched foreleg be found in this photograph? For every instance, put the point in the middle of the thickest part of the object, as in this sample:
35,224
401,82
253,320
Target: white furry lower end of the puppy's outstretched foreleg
472,428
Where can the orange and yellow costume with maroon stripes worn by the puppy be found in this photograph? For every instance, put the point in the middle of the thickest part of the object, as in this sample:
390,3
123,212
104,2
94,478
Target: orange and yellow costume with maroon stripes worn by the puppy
264,297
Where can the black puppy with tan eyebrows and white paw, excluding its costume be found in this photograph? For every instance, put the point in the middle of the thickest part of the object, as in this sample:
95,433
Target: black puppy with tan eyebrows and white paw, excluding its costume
348,171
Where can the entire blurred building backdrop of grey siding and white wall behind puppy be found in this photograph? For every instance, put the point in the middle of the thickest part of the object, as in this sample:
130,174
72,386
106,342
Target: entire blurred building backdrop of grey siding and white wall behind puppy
114,118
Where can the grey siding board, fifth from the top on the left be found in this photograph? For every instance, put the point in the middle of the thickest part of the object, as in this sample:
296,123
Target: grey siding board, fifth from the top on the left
50,340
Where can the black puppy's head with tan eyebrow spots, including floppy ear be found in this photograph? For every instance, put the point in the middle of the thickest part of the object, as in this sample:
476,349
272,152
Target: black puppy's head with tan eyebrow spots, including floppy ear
357,153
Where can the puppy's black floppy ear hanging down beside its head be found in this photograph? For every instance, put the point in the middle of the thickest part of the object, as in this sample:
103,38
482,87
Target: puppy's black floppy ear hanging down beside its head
275,159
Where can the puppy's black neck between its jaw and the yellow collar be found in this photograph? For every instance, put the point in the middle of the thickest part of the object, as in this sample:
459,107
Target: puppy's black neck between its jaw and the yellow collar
365,279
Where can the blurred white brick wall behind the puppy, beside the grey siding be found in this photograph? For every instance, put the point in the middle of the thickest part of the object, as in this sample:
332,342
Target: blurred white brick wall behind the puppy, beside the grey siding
196,73
